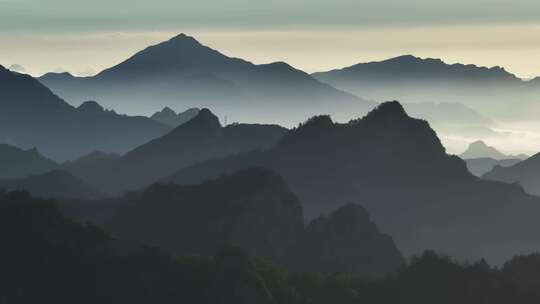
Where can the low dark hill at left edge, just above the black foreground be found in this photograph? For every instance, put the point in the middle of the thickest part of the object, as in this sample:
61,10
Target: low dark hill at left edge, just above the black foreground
53,184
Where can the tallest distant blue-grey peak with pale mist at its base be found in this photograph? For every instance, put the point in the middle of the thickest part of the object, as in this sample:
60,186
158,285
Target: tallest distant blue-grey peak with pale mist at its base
183,73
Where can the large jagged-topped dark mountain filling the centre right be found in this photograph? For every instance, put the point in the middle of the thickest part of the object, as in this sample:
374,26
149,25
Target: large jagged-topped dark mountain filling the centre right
396,167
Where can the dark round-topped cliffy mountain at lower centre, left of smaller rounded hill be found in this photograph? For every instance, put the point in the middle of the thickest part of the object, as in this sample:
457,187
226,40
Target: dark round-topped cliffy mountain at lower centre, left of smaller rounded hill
252,209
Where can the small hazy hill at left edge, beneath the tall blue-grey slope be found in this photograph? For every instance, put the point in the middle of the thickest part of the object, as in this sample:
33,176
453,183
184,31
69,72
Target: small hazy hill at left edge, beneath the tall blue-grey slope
18,163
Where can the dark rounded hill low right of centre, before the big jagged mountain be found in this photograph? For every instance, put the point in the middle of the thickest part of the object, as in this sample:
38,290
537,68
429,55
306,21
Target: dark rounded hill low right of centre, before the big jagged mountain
345,241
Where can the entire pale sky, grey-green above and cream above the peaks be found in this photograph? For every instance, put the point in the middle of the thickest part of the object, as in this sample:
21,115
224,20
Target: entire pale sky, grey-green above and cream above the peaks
84,37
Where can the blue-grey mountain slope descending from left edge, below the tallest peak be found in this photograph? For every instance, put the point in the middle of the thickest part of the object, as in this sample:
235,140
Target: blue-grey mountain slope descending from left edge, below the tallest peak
32,116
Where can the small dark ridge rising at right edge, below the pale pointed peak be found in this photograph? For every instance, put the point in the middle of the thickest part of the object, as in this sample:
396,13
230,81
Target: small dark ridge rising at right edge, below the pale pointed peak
526,173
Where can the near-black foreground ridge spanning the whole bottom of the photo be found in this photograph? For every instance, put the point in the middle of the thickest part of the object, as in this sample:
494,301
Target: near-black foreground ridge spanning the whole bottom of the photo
46,256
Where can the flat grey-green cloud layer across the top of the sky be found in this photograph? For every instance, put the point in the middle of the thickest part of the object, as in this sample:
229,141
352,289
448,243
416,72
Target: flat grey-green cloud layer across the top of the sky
244,14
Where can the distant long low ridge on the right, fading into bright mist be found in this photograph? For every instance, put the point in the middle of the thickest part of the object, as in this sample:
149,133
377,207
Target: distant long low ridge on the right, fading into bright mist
412,79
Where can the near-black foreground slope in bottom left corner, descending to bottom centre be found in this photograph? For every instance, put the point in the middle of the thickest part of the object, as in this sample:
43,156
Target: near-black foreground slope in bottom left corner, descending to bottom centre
46,256
